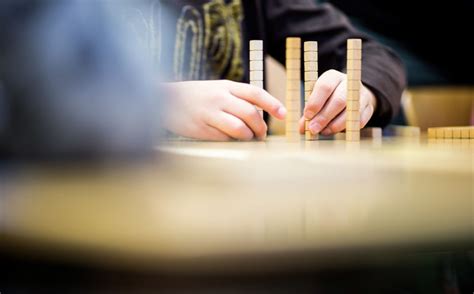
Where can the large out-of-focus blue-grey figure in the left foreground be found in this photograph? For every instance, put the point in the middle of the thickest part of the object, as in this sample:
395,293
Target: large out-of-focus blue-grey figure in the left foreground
72,85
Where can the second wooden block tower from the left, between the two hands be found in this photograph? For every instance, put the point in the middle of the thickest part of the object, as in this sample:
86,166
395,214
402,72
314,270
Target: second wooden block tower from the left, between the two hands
293,87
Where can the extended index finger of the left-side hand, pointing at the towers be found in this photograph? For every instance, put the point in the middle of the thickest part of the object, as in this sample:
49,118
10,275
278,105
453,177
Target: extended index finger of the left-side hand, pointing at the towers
259,97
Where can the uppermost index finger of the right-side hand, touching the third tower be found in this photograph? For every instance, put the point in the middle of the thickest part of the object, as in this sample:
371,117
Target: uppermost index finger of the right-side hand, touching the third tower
324,87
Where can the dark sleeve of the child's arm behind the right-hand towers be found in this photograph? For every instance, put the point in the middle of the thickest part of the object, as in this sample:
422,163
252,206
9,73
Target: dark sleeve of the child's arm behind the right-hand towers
382,70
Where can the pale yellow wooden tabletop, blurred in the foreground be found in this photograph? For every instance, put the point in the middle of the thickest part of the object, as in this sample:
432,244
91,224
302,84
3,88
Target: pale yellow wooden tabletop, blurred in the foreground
200,204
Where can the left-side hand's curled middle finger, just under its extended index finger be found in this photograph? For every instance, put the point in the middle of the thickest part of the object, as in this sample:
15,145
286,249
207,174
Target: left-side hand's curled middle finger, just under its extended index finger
248,113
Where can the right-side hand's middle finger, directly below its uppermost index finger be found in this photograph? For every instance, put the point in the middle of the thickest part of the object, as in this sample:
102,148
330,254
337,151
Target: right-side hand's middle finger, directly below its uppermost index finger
334,106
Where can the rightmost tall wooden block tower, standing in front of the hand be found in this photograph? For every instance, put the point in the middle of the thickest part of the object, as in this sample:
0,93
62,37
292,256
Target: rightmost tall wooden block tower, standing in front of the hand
354,69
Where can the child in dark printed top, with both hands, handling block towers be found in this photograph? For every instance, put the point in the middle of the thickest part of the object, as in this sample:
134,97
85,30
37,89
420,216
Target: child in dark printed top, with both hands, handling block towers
208,40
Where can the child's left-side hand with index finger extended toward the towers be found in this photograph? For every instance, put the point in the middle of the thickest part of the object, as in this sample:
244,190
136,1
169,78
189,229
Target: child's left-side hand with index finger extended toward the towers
219,110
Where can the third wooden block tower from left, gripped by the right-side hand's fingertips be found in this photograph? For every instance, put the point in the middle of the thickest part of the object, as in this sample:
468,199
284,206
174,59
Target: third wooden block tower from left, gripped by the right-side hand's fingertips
310,59
